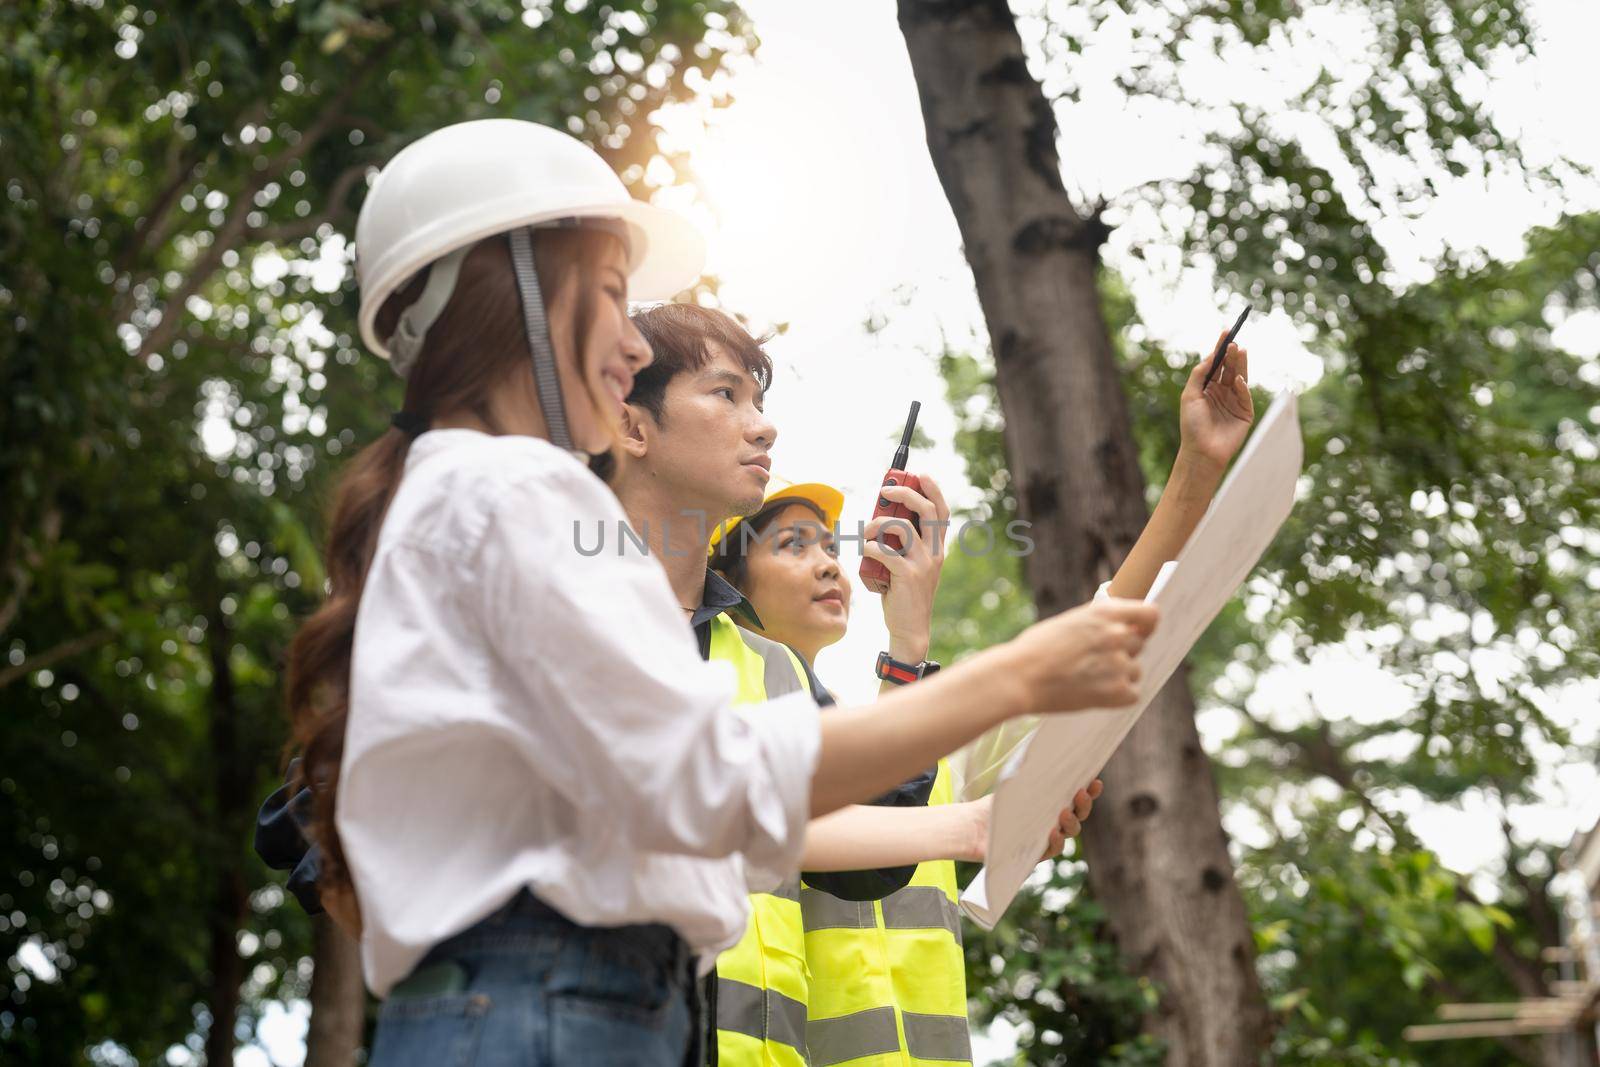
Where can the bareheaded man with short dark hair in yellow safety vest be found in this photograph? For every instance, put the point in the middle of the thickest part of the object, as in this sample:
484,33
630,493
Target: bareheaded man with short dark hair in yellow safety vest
695,452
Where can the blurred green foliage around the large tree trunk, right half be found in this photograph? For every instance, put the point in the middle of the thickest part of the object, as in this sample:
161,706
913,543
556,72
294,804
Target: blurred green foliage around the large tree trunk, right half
1446,533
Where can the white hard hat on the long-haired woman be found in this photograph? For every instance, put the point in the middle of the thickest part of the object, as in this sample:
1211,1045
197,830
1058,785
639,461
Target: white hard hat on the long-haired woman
474,180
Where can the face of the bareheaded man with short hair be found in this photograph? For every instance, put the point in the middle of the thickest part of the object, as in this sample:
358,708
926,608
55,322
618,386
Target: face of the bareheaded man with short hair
711,447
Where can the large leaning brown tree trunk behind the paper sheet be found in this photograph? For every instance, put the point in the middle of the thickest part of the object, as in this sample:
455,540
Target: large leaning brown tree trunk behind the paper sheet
1158,852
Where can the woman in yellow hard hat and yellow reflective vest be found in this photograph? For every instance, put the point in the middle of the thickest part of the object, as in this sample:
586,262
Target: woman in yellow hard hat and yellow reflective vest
887,973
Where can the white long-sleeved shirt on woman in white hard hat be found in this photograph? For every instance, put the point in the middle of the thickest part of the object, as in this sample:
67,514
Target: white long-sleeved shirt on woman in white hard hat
524,714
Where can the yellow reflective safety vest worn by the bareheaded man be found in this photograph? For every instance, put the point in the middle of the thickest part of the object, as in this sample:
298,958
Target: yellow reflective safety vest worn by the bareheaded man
762,981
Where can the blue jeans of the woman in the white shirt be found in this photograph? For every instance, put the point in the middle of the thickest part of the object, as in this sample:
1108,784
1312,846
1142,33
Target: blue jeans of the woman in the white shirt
529,988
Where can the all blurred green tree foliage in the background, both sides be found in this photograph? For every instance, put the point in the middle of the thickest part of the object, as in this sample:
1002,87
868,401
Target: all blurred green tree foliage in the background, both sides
182,377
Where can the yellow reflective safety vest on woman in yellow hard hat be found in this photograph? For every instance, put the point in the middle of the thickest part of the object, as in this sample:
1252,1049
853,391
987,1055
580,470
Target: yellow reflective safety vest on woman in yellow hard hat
889,978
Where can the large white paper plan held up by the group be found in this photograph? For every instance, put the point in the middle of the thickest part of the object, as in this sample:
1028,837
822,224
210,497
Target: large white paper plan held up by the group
1071,749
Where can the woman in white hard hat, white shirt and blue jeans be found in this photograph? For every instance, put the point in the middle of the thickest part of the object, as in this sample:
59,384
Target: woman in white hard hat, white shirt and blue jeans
543,799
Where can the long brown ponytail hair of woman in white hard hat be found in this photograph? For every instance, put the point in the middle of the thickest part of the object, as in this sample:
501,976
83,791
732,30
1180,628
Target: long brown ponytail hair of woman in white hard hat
476,348
